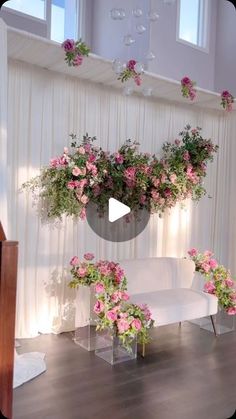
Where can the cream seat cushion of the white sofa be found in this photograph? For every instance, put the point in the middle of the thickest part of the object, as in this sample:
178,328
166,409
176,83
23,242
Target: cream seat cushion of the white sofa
175,305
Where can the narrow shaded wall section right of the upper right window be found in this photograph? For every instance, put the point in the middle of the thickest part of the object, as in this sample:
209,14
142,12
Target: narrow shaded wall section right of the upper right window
225,63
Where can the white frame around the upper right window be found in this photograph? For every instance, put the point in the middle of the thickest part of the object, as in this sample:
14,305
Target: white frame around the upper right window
204,22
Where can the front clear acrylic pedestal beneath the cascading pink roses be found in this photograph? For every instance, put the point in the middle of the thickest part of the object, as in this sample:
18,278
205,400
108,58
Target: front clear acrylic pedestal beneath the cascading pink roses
112,350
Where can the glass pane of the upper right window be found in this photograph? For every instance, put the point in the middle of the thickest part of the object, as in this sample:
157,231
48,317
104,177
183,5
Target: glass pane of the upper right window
192,22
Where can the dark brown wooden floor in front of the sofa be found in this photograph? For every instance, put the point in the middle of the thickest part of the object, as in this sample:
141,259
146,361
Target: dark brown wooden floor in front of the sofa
187,374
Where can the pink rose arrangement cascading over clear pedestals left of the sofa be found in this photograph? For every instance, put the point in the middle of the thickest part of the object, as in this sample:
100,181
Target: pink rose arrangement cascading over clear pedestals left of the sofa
124,319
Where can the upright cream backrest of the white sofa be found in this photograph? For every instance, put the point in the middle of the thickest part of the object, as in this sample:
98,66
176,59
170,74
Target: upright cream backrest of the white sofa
153,274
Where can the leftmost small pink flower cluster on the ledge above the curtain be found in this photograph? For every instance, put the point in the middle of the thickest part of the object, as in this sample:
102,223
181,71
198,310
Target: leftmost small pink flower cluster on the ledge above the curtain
75,51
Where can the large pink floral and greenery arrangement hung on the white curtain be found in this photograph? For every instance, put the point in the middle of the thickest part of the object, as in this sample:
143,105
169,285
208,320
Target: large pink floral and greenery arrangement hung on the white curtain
88,174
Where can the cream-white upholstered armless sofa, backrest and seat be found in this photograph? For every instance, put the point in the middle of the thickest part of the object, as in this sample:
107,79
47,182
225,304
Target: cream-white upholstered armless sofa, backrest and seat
166,286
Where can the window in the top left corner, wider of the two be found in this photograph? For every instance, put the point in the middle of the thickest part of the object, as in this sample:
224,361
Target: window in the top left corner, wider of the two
59,17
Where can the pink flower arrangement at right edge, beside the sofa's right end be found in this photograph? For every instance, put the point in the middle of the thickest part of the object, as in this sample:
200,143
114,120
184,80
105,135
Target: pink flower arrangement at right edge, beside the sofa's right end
218,279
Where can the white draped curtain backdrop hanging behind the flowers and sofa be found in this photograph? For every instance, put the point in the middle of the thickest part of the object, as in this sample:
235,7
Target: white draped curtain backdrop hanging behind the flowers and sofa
43,109
